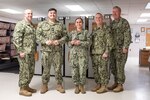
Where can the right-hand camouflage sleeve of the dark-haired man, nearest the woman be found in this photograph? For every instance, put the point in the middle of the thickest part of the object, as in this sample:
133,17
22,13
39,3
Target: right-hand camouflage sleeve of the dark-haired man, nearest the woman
64,38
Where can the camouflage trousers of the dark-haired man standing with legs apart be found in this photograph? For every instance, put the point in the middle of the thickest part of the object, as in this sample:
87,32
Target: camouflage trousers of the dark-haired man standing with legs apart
51,59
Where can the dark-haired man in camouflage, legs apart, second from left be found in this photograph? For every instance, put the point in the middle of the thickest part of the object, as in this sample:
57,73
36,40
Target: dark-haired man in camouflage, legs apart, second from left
51,35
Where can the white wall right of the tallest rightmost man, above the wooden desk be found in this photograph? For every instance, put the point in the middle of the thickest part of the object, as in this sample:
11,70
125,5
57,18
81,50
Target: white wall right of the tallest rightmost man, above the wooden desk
135,46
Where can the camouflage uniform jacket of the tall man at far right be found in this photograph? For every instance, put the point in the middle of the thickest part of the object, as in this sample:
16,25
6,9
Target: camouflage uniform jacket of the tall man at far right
121,33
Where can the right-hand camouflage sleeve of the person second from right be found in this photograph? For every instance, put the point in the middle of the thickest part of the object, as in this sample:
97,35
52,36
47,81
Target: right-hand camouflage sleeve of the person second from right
109,40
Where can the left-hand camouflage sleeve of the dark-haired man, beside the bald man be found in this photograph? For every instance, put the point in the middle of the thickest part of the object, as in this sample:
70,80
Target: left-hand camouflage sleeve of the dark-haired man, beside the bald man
39,34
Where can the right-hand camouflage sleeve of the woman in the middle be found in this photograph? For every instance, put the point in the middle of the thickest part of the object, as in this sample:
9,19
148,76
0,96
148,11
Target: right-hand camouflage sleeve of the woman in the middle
86,42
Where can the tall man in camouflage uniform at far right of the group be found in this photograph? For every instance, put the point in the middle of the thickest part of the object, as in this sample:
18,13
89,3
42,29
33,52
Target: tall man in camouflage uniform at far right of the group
122,38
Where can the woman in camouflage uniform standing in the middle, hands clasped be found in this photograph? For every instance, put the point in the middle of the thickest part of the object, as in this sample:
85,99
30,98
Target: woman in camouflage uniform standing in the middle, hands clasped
78,44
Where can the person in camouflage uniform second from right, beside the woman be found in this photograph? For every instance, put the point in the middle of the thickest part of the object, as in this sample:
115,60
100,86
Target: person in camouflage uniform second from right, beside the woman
100,48
